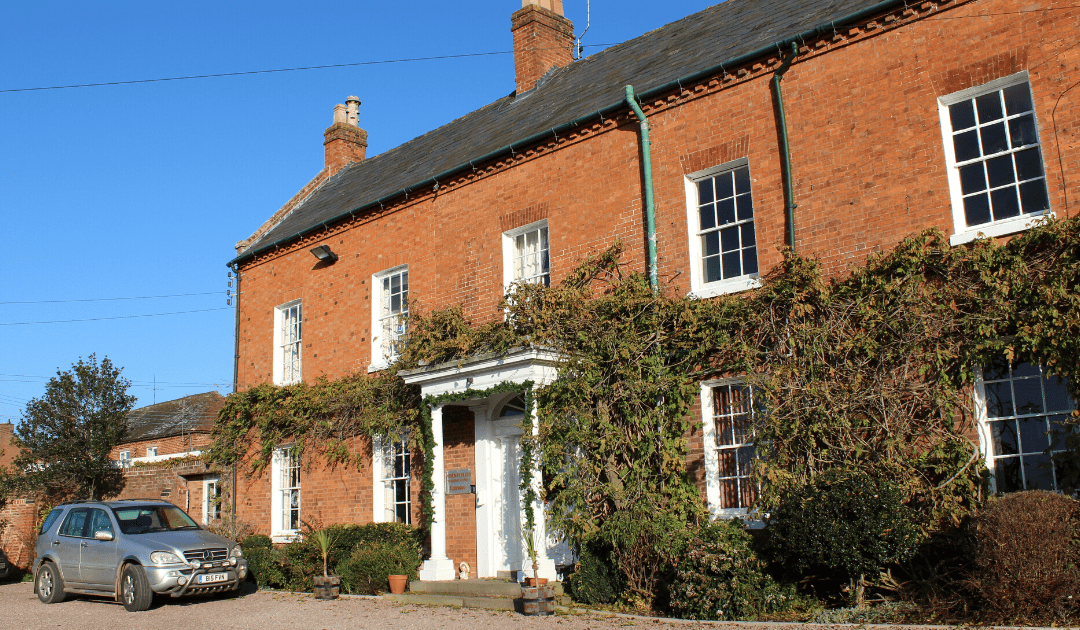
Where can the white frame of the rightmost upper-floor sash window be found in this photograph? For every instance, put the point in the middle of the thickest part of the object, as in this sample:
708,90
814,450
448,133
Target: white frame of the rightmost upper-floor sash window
964,234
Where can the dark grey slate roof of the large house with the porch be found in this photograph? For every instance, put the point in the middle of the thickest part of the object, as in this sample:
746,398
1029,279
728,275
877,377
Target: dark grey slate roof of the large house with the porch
719,35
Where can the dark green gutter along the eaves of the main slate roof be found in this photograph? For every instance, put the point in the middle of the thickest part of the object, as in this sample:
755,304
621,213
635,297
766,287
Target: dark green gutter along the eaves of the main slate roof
618,106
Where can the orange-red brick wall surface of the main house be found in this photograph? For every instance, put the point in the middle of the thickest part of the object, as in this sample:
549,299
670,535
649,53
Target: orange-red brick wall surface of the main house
868,162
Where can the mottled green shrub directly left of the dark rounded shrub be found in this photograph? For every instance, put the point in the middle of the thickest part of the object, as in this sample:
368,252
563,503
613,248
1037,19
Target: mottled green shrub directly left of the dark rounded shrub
721,578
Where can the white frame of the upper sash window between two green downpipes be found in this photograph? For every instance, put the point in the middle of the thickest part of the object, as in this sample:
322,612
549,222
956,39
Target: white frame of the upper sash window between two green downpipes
698,286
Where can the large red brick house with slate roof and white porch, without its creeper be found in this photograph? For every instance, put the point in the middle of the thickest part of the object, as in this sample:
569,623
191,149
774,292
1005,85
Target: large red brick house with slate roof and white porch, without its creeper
839,127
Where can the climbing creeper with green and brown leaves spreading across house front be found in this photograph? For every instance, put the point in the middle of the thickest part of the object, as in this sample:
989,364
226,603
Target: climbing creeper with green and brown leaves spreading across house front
870,371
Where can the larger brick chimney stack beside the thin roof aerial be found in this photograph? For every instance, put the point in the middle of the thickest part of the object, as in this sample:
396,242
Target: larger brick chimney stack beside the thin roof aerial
544,39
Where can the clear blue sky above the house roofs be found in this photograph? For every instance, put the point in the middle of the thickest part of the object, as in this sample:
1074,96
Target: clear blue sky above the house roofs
141,191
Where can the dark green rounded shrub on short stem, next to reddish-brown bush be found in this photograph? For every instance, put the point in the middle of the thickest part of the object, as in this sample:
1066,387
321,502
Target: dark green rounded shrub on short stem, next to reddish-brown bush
845,521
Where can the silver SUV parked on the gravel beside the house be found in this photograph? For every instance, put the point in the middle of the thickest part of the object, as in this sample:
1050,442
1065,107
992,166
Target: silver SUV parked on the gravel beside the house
131,551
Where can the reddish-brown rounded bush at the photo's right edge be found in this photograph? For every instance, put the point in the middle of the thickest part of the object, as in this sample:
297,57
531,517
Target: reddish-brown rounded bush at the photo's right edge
1029,558
